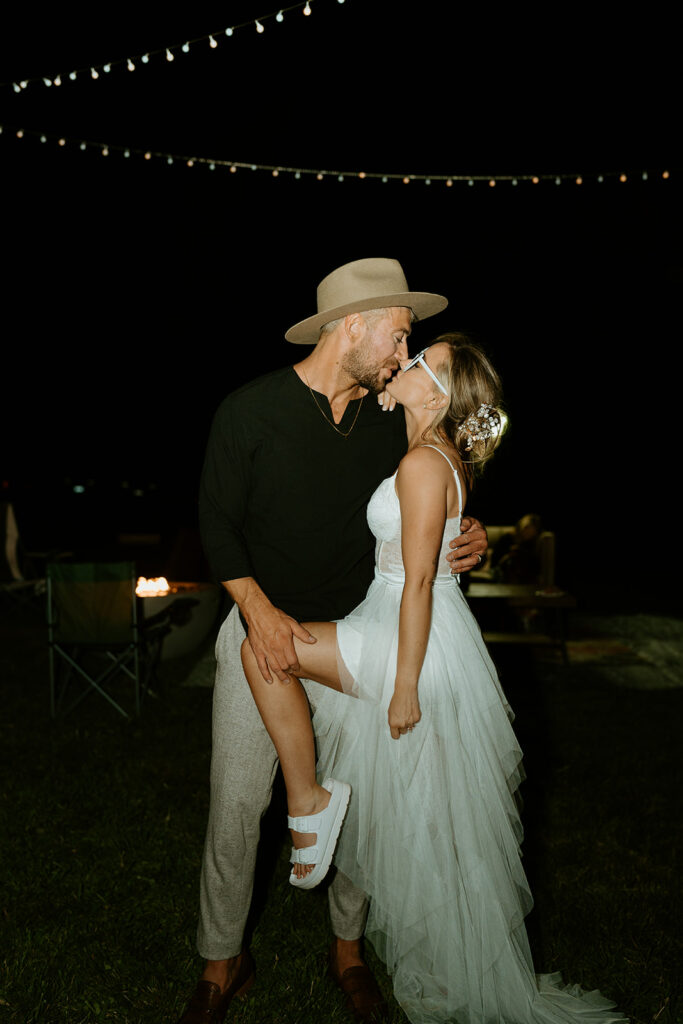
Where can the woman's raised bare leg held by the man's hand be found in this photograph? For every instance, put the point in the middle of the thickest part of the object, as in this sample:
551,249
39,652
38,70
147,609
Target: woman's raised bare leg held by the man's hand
286,715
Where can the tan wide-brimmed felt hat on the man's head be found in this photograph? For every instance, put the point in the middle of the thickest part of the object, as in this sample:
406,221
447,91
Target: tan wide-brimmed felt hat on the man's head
365,284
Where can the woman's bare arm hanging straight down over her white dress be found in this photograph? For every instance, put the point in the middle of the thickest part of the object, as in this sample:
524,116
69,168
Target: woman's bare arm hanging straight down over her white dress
422,487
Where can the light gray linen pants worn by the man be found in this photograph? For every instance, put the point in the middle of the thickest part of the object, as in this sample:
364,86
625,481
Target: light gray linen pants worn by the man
243,770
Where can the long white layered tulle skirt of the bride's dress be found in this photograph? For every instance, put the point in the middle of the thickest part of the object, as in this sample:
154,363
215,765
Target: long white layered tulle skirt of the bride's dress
434,833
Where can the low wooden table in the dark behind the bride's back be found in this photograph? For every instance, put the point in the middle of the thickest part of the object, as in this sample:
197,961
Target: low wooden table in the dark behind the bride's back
551,602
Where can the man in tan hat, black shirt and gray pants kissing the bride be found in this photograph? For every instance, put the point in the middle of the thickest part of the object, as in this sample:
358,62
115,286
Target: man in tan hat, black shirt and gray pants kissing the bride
292,460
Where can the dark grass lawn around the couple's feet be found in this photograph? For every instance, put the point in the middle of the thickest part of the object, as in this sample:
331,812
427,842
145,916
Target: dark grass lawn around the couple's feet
102,827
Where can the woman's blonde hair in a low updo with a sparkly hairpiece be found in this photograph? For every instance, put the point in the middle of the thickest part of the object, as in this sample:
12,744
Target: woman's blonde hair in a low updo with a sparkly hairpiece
473,382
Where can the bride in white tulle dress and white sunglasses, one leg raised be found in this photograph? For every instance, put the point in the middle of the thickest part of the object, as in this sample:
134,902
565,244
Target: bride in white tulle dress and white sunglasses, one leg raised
433,831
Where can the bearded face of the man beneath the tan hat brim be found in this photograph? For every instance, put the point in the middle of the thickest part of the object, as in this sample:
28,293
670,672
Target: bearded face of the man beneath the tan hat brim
375,359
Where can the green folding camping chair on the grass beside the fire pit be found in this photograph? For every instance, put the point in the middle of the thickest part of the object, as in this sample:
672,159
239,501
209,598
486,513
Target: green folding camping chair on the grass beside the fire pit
94,633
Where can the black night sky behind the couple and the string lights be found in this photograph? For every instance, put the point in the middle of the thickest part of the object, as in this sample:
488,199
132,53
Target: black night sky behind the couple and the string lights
137,293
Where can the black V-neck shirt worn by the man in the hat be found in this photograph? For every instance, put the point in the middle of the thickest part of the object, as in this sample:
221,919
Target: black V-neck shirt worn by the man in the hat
283,496
